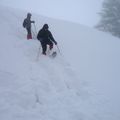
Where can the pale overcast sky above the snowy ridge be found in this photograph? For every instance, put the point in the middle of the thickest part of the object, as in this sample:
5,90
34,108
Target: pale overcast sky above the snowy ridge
80,11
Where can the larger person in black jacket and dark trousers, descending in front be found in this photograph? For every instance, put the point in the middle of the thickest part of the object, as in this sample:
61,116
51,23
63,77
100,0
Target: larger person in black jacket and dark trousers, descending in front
46,38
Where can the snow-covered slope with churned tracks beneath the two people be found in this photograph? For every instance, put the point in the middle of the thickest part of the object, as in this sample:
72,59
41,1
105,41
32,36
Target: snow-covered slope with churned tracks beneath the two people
81,84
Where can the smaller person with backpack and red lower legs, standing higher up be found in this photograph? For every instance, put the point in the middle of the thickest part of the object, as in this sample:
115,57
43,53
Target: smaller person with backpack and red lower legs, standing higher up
27,24
